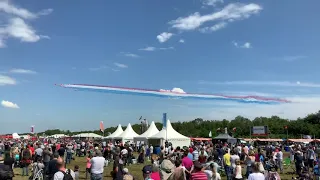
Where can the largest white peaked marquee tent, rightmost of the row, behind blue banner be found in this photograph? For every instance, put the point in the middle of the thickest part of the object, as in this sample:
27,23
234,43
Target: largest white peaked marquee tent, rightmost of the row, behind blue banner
170,135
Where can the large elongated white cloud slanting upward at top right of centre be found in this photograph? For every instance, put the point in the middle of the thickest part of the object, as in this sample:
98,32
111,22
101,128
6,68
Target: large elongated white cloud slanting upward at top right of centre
230,13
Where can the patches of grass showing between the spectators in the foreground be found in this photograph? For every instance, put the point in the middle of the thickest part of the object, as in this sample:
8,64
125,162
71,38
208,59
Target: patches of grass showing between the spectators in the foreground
135,170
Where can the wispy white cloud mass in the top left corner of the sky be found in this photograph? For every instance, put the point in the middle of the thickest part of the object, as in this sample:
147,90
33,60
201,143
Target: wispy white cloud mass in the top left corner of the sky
16,27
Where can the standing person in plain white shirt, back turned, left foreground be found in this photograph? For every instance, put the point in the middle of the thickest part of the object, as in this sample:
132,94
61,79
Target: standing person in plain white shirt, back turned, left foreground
97,166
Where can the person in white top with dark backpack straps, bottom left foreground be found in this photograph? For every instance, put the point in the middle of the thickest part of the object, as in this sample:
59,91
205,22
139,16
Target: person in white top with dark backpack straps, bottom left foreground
63,173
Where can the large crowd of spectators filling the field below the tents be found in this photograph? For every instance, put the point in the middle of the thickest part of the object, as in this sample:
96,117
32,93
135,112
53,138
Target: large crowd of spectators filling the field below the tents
199,161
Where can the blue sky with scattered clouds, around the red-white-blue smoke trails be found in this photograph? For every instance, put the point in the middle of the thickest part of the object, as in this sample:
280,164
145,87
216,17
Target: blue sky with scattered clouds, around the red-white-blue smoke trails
267,48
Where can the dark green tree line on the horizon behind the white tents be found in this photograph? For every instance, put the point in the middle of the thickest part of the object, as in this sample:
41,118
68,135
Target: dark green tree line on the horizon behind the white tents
278,127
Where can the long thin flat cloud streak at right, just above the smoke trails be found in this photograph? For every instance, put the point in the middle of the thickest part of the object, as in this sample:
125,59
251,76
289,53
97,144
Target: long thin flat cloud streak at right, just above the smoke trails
266,83
